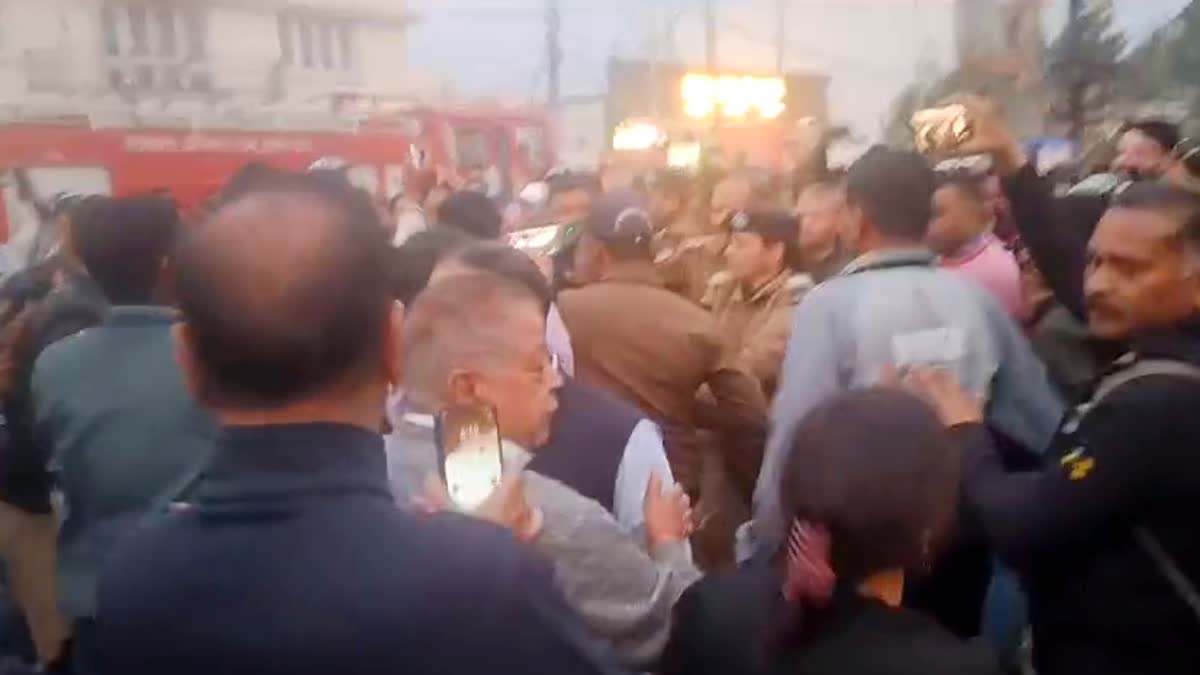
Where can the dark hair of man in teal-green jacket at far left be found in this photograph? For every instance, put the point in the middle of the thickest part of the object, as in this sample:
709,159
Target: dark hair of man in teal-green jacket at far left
124,244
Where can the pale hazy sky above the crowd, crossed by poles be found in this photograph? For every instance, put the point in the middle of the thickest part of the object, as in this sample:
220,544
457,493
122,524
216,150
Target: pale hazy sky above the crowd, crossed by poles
871,49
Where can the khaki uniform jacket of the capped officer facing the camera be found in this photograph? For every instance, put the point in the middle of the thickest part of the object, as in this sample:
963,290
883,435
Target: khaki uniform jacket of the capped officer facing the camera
758,326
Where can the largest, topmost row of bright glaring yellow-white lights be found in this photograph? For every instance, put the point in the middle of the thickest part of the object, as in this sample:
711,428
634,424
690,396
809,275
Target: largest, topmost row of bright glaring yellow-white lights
735,97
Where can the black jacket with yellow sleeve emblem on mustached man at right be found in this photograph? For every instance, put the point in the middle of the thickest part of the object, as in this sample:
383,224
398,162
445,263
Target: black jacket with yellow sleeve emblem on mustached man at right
1099,602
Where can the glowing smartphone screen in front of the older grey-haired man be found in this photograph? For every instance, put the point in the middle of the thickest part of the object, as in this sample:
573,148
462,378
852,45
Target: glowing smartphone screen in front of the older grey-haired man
470,453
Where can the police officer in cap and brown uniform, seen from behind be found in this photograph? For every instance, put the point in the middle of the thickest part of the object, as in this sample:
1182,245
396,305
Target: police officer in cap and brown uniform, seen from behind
659,351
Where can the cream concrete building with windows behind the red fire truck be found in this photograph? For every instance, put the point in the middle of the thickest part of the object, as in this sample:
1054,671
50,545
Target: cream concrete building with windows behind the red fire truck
218,59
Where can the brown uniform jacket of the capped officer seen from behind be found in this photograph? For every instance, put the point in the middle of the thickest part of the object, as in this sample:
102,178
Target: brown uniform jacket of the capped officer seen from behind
657,350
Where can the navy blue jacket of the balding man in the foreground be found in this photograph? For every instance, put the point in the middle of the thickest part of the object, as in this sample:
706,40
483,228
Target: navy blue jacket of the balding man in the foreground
296,561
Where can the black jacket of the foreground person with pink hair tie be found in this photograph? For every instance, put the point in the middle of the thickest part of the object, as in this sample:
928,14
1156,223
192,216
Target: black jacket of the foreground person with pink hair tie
725,626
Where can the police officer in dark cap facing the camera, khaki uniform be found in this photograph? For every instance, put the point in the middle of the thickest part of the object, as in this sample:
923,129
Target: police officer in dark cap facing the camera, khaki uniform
754,300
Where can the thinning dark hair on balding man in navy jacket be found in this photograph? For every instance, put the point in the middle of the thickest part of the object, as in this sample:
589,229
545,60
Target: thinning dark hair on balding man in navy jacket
286,308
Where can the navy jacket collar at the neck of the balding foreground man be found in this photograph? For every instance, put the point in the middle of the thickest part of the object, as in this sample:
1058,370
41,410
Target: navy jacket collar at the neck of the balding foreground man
284,463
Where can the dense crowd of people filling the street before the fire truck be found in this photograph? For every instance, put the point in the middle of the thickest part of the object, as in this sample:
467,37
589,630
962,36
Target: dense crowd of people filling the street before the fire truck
922,419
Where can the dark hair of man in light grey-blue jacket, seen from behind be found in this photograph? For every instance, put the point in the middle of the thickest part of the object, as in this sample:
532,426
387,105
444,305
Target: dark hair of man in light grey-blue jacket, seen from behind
896,190
